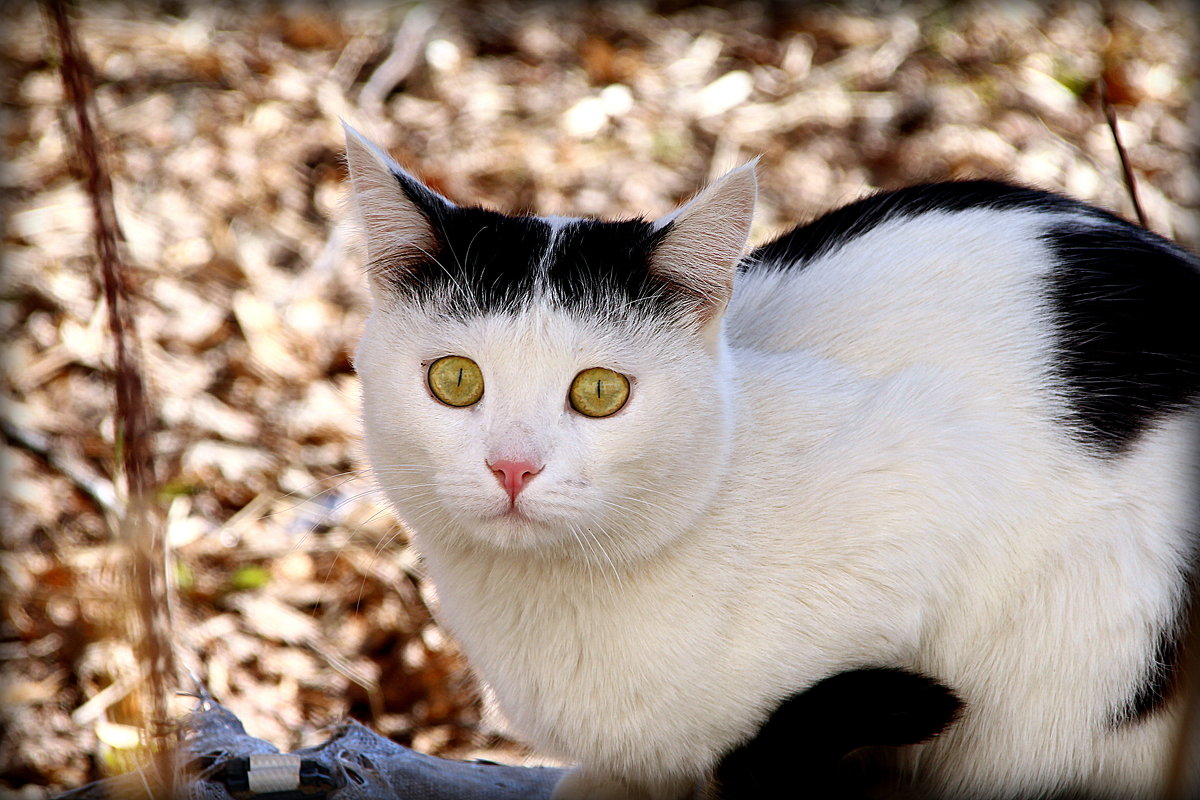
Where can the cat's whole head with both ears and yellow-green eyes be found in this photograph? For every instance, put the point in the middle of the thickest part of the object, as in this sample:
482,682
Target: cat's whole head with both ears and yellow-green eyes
553,386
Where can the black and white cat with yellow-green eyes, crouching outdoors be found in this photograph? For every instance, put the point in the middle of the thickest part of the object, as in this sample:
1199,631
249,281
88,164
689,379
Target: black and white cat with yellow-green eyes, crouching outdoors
664,488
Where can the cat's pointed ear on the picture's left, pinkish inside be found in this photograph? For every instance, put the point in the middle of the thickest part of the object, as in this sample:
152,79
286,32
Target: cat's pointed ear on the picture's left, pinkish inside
400,216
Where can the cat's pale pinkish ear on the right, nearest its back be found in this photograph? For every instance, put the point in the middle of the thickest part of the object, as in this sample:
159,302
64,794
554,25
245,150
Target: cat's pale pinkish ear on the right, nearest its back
704,240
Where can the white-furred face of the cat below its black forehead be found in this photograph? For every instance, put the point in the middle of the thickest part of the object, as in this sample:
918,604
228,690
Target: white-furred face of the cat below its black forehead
597,478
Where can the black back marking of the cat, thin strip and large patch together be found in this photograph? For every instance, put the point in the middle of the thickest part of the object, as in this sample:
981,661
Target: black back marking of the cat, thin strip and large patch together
1125,300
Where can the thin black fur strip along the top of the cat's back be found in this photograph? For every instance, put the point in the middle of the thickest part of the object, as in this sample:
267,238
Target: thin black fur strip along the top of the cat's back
800,246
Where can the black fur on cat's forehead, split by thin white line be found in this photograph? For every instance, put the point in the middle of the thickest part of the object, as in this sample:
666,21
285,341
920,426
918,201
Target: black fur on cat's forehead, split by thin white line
493,263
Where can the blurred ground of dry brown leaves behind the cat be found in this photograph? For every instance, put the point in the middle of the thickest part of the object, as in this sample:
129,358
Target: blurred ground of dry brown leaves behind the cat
296,600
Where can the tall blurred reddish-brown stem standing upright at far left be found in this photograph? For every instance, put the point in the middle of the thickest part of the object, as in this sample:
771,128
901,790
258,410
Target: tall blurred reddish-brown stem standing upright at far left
143,526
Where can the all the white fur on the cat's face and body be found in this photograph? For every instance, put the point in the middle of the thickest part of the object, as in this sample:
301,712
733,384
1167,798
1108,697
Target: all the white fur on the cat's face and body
865,468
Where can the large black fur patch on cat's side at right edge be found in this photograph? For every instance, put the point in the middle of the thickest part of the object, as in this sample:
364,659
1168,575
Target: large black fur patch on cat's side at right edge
1127,310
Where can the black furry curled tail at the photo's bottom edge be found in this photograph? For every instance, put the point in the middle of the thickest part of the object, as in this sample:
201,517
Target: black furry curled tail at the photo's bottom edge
806,741
